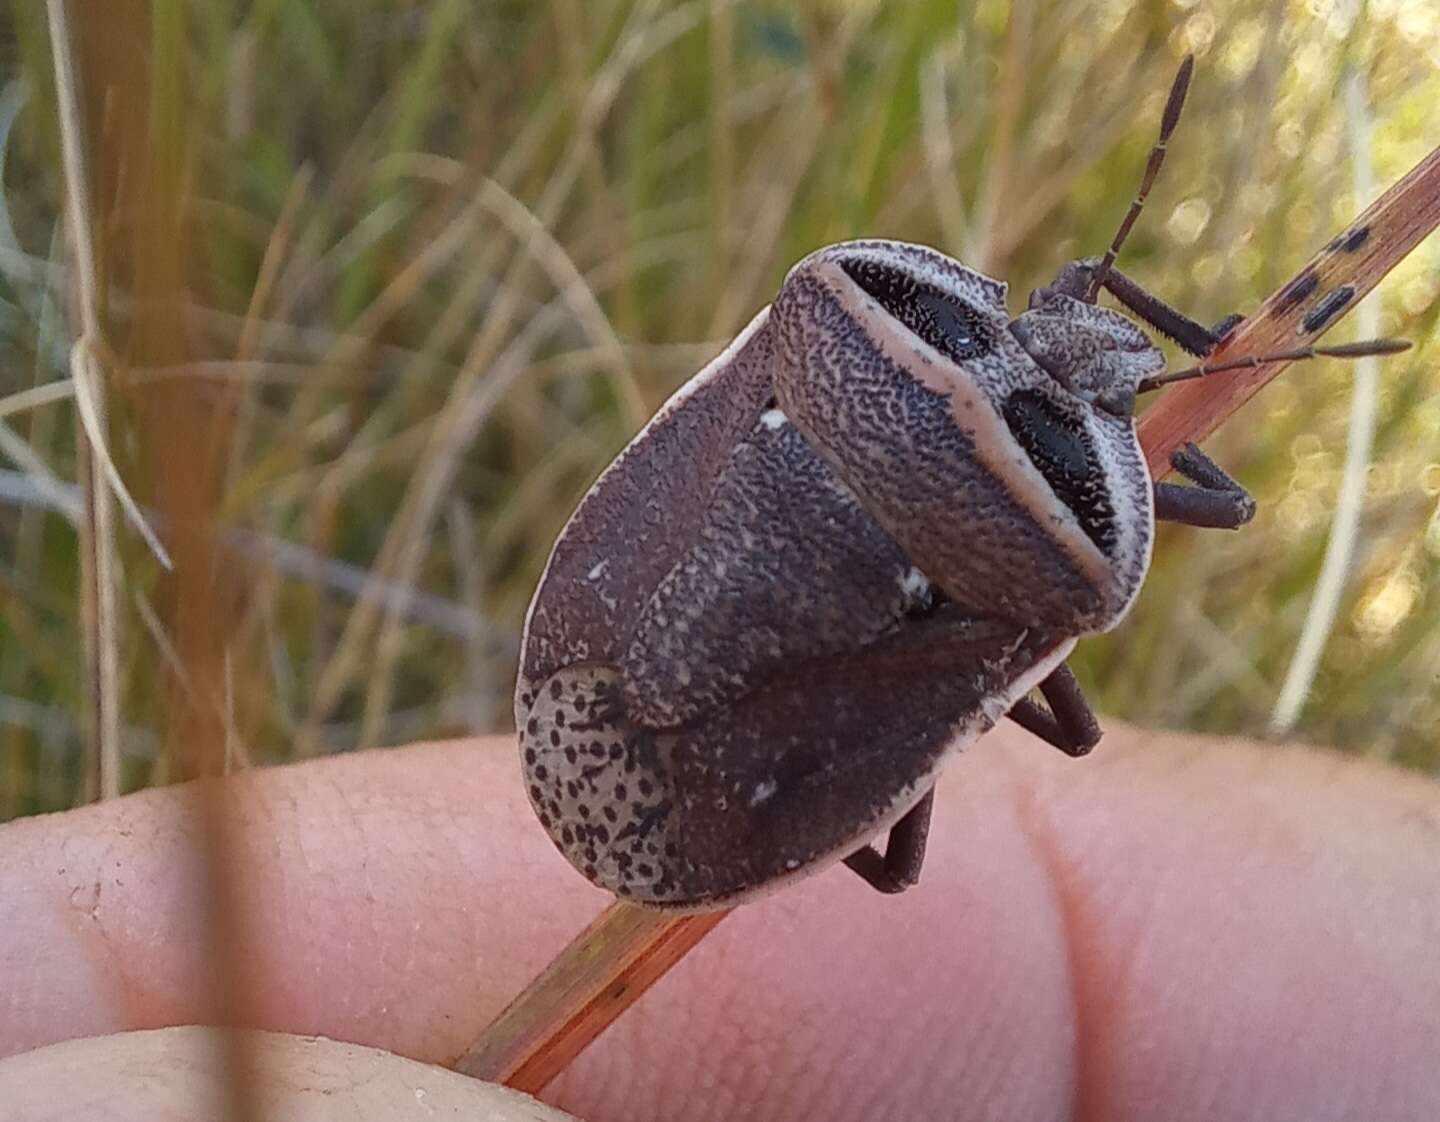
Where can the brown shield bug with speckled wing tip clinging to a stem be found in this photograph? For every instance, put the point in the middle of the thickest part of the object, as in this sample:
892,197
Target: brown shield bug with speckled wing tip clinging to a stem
843,551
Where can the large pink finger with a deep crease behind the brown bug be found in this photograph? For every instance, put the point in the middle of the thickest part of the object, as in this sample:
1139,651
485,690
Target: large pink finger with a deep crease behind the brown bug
1173,928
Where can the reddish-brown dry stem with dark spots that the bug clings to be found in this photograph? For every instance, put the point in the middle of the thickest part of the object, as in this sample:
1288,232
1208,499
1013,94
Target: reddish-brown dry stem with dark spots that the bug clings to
627,950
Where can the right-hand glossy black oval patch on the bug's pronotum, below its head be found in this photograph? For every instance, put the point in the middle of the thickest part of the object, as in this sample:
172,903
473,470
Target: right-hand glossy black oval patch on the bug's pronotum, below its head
1066,459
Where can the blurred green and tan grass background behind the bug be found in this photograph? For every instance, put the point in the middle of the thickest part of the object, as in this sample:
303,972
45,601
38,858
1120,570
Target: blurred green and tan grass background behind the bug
385,286
